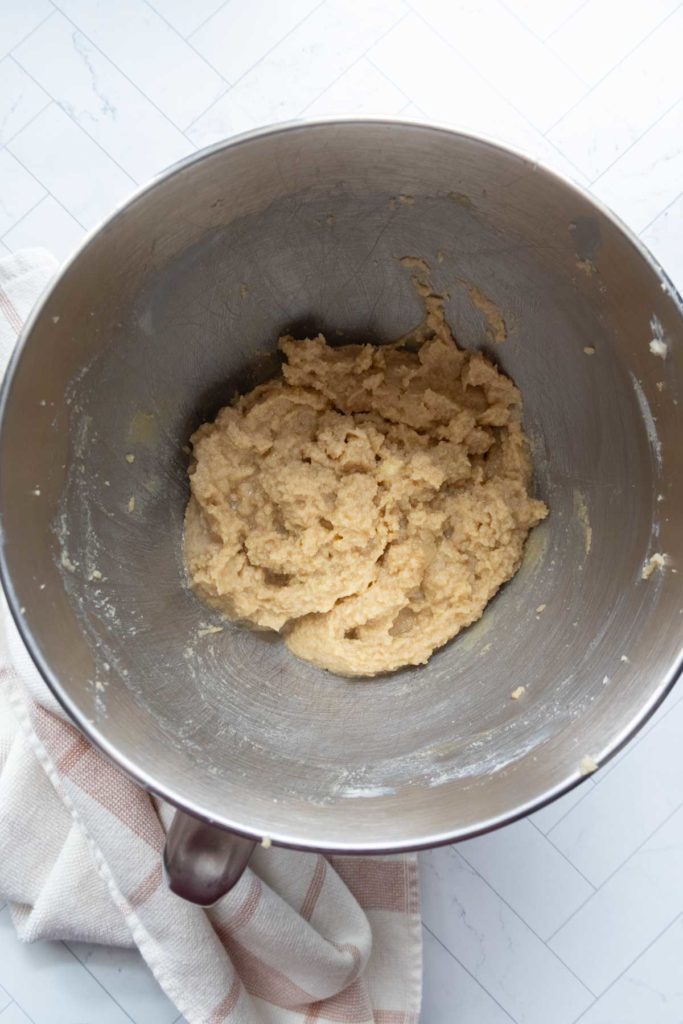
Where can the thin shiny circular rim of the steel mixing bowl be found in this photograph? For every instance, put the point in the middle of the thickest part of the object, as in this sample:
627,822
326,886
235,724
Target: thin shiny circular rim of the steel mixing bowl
77,715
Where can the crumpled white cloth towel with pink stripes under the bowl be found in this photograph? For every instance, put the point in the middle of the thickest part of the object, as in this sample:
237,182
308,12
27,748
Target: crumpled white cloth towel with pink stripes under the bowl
301,940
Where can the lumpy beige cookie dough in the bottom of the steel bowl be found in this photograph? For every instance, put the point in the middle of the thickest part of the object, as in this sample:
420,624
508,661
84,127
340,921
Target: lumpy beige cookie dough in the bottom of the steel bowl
368,505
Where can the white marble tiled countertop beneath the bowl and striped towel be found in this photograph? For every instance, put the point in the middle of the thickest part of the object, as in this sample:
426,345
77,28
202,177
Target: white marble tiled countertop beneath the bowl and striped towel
577,913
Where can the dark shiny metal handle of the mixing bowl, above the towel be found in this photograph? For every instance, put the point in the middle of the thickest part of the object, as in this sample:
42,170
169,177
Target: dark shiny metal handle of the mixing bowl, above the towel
201,862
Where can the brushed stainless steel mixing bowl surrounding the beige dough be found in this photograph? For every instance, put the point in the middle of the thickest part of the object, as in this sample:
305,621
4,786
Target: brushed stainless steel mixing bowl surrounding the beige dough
173,307
